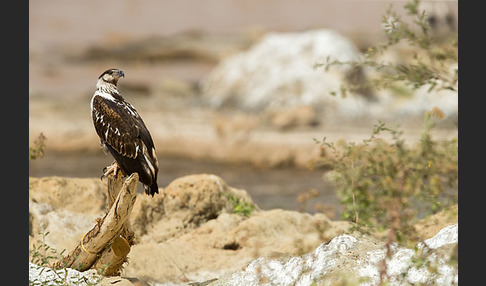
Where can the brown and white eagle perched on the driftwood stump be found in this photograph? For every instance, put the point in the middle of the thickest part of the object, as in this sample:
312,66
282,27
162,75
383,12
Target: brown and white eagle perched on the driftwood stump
123,133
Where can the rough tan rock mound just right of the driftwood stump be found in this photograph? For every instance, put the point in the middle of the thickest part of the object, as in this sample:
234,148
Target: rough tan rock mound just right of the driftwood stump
183,205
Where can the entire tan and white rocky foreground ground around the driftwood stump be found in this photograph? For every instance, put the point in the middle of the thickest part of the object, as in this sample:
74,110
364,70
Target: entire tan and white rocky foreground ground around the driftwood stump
193,232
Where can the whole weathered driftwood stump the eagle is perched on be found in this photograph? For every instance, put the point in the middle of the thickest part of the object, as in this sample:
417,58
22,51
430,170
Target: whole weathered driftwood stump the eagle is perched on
106,246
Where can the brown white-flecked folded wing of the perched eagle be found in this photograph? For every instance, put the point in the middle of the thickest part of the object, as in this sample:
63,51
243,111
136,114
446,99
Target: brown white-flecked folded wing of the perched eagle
119,125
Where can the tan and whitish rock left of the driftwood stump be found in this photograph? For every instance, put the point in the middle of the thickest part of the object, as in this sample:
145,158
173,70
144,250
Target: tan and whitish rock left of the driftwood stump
66,208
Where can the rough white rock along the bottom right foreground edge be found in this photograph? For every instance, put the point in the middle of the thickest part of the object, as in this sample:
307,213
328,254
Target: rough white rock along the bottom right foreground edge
345,253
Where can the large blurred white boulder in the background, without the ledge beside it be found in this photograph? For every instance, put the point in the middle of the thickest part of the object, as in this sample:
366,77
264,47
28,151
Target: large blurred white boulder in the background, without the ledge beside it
278,72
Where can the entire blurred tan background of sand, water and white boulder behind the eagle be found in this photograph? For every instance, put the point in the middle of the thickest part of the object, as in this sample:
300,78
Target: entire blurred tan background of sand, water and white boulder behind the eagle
225,86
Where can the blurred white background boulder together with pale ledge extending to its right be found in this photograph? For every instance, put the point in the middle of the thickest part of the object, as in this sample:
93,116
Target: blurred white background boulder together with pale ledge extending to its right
275,77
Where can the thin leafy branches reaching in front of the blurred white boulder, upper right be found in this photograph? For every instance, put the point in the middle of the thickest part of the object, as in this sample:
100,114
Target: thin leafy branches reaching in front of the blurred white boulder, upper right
431,64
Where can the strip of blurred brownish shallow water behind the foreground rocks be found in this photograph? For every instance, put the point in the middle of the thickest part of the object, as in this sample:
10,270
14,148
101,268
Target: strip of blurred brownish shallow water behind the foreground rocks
269,188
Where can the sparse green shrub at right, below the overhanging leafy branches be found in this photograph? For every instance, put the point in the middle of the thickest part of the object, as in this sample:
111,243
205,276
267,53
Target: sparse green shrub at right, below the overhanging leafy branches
390,184
